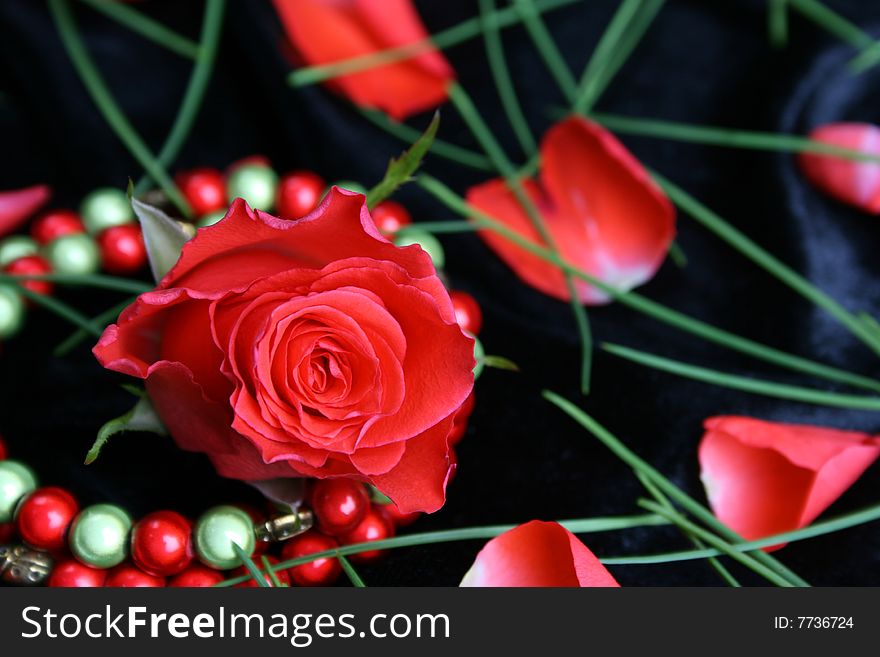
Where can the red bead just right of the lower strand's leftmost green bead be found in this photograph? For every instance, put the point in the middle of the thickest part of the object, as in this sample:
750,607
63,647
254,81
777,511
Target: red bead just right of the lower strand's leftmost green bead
44,516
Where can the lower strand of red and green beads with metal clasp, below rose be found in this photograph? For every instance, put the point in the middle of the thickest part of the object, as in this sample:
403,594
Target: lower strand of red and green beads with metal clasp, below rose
62,545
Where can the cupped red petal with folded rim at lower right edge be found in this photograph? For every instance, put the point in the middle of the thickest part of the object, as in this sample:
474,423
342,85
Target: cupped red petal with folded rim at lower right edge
764,478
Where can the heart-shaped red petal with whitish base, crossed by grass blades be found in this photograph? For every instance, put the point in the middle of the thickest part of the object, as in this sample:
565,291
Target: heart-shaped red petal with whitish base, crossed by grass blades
604,213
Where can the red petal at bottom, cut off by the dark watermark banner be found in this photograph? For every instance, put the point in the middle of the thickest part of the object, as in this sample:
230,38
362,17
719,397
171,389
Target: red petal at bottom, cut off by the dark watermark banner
537,554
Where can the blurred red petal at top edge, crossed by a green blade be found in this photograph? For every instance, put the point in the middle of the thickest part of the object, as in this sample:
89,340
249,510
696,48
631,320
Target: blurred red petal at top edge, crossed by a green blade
328,31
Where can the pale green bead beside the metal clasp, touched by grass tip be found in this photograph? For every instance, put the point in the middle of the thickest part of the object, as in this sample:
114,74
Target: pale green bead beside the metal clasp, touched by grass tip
215,532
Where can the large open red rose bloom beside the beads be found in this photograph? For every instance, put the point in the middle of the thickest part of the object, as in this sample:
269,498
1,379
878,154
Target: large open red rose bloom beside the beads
311,347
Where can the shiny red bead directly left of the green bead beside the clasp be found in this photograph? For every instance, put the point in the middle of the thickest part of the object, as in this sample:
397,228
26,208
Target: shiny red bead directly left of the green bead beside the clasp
161,543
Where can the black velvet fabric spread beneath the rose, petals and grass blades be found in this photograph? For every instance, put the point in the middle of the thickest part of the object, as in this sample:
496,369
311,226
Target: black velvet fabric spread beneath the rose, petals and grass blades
700,62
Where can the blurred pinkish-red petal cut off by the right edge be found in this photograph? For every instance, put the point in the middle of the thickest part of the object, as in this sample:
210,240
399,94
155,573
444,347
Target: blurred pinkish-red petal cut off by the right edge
853,182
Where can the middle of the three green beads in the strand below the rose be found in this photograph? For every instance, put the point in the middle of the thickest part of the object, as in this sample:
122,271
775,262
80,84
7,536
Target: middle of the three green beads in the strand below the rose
99,535
